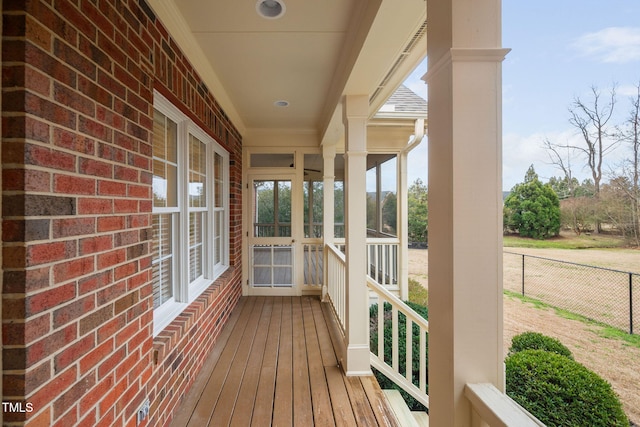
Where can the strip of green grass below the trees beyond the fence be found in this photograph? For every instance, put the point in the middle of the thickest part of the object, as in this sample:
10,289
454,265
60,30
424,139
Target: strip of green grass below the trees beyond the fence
566,241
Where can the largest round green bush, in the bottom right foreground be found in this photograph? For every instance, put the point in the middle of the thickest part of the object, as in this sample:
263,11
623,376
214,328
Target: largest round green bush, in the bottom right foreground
561,392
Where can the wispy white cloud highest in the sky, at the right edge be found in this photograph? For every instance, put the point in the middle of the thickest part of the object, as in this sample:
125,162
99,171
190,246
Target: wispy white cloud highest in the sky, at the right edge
611,45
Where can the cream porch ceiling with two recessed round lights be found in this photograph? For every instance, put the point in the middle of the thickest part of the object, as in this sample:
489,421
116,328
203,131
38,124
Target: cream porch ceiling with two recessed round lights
311,56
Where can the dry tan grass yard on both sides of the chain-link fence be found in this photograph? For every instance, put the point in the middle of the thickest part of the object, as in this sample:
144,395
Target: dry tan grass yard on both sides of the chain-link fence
612,357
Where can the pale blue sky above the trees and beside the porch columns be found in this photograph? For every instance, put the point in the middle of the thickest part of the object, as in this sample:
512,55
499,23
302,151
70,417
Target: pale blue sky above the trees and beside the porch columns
560,49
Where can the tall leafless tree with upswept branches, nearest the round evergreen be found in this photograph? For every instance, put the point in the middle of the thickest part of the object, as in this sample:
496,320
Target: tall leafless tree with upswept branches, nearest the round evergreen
592,121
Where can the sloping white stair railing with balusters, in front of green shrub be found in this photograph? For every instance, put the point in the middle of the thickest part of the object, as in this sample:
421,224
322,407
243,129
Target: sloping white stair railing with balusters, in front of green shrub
413,378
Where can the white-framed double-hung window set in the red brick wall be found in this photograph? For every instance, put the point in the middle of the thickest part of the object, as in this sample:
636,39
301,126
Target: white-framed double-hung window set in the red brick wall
190,211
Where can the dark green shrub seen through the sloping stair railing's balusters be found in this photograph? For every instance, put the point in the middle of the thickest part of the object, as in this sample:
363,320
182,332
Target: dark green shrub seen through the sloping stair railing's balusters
384,382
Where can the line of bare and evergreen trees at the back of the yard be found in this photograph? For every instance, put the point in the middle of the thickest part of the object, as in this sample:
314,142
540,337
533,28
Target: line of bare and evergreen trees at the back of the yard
607,201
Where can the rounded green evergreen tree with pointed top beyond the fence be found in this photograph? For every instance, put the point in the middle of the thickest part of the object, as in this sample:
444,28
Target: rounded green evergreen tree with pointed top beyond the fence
532,209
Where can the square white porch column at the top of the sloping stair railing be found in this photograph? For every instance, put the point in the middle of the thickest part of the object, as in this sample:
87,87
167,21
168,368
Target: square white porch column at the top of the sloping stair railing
356,110
